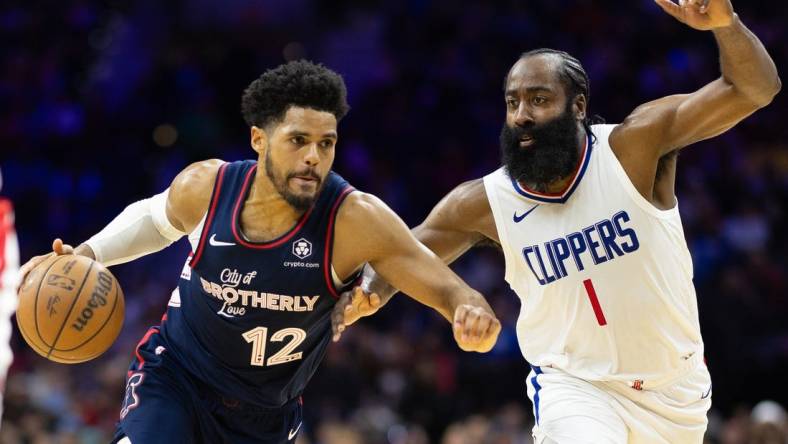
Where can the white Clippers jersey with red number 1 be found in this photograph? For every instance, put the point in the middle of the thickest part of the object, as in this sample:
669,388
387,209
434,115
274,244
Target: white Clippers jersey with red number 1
604,277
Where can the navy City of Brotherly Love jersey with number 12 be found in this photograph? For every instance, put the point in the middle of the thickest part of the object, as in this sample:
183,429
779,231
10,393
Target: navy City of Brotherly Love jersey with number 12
254,319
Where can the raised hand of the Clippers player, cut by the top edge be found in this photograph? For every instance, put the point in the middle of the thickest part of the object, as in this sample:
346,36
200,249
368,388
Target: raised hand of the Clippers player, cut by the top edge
702,15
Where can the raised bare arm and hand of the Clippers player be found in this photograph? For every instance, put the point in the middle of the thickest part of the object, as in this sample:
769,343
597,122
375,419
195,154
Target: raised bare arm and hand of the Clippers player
749,81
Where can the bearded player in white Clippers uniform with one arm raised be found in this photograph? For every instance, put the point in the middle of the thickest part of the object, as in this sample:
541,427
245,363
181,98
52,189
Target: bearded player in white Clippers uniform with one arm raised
589,225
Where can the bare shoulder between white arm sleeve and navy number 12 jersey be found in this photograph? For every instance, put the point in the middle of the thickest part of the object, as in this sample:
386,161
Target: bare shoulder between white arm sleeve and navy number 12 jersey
191,190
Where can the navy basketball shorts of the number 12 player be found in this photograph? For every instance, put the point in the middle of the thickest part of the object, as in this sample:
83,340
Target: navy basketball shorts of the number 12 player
164,404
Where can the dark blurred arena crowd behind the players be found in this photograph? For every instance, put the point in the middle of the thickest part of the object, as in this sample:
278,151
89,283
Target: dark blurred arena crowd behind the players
104,102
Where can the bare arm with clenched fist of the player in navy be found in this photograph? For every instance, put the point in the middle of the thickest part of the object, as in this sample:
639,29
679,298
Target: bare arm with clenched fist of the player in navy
366,225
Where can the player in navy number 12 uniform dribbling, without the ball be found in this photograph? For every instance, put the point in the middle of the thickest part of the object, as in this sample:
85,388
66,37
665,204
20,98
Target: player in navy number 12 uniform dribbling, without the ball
274,242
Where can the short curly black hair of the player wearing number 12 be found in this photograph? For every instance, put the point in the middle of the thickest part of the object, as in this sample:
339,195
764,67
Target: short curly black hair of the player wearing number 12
299,83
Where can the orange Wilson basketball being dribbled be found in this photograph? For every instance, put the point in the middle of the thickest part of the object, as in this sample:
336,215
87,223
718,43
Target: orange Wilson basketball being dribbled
70,309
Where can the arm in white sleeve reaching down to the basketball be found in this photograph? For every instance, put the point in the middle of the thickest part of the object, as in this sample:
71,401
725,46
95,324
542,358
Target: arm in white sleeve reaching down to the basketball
148,225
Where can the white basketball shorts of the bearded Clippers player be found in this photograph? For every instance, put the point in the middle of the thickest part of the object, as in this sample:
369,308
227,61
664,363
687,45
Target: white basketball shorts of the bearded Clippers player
569,410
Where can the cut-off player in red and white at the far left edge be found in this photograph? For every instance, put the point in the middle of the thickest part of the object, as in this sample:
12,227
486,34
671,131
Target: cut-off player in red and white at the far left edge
9,268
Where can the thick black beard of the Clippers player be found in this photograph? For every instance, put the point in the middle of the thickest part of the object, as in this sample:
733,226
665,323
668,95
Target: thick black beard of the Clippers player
553,154
